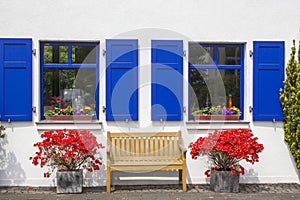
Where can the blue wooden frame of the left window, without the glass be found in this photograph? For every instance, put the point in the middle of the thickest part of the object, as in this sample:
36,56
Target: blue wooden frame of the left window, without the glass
68,65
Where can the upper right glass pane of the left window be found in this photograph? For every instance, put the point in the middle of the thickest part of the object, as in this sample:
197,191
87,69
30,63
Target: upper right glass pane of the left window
84,54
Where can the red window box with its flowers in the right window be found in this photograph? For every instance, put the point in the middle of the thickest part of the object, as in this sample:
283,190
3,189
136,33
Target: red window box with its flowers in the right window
217,113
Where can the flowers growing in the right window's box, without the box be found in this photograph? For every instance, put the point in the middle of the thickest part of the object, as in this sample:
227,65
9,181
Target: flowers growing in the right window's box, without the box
217,110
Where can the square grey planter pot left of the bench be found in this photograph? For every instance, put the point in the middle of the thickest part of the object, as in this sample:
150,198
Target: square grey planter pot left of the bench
69,182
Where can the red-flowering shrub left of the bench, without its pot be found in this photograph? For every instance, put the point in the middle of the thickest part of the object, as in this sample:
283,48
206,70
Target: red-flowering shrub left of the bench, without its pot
68,150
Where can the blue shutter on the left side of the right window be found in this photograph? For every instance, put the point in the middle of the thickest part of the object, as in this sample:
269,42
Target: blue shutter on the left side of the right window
167,79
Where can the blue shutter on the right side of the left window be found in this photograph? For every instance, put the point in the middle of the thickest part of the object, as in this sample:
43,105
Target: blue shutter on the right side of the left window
121,80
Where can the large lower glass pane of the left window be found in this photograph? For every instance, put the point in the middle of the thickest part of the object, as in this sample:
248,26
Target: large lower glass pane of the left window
71,87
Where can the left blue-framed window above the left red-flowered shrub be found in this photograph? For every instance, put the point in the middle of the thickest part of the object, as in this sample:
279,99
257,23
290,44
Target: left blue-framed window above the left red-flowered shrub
69,78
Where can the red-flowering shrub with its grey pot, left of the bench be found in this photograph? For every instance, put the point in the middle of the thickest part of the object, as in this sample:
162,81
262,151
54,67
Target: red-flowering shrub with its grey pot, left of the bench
68,152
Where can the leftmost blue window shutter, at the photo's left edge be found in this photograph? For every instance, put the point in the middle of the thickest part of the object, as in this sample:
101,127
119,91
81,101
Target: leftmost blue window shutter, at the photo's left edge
16,79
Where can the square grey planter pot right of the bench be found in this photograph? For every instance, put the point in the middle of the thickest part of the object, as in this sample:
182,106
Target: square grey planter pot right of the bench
224,181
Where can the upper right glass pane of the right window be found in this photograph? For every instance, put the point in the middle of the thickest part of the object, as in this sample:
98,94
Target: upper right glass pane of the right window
229,55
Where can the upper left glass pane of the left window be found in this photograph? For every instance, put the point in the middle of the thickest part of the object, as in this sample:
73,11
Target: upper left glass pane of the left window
56,54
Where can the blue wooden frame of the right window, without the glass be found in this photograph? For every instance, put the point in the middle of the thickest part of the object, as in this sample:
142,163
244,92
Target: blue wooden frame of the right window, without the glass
240,67
